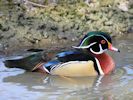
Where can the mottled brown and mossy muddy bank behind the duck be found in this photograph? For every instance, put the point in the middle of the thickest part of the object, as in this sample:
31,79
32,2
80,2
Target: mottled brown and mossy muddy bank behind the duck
59,24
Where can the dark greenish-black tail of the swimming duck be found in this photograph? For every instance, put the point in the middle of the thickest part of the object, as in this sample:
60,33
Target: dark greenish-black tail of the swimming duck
27,63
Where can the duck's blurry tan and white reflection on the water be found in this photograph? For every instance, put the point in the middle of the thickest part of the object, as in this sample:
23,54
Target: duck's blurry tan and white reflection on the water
43,83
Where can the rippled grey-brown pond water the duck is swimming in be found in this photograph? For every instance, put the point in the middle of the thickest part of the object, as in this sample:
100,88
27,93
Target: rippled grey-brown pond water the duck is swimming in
16,84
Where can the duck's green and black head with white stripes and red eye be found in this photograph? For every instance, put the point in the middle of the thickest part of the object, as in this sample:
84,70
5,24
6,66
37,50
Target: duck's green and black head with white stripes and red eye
97,42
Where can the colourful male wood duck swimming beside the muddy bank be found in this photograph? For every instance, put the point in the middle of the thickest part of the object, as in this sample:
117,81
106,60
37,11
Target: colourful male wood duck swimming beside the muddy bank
87,59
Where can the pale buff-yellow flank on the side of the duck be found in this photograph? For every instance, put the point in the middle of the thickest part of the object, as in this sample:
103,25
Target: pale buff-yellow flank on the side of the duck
74,69
